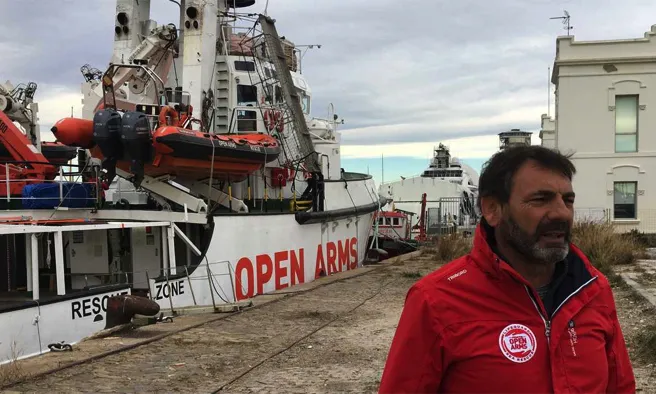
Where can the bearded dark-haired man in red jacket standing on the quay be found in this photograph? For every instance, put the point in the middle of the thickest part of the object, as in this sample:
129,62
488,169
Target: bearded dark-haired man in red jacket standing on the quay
524,311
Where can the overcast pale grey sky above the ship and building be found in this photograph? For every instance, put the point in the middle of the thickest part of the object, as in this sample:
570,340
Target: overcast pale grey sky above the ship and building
404,75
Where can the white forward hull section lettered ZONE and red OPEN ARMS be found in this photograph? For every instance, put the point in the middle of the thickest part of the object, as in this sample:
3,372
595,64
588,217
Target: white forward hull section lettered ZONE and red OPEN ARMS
249,261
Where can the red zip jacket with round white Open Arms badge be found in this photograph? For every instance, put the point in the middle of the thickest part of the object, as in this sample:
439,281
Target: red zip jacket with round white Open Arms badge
476,326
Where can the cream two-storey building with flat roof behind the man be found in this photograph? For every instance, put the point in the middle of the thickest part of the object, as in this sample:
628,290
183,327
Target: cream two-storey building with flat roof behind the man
606,117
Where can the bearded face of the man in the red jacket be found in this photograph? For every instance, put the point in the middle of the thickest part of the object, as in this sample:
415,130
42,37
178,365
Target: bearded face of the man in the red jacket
537,220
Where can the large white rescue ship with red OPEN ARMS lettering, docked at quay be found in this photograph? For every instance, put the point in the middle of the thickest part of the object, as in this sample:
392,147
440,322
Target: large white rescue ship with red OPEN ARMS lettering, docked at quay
202,237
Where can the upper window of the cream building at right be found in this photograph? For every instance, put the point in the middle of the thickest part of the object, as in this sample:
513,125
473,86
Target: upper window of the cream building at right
626,123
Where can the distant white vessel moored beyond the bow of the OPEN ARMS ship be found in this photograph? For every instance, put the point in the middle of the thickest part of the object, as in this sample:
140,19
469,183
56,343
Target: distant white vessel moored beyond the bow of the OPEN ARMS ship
451,189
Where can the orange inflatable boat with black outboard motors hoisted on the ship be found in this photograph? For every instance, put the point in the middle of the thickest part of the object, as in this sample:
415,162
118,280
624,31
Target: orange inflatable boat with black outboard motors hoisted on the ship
174,150
